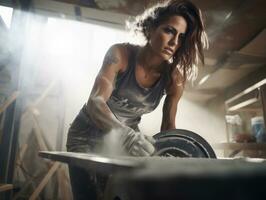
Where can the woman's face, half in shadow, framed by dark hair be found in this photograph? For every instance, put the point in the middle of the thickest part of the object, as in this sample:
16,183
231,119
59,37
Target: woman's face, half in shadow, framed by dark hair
167,37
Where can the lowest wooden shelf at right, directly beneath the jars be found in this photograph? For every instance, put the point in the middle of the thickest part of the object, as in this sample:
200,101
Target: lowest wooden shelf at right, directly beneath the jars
238,146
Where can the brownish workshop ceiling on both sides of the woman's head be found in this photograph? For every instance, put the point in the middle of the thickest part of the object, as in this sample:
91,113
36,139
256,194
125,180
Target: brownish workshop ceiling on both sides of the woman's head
236,31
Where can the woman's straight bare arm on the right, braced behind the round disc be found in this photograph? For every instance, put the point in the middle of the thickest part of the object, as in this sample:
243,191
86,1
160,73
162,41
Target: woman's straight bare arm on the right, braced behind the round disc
174,93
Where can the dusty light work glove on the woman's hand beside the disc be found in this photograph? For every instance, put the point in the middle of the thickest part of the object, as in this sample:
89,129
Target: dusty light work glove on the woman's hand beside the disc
136,143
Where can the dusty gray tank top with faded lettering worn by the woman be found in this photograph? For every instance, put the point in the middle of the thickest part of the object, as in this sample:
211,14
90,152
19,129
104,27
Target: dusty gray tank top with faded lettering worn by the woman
129,101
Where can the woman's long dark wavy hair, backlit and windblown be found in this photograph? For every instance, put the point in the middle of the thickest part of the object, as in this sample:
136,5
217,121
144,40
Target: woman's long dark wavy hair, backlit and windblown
195,39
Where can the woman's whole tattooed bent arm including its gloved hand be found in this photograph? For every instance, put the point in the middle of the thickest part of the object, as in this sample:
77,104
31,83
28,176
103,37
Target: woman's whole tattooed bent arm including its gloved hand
115,61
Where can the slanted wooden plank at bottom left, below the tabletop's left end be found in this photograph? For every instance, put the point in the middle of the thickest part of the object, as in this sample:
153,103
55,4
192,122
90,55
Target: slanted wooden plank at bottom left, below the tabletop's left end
44,181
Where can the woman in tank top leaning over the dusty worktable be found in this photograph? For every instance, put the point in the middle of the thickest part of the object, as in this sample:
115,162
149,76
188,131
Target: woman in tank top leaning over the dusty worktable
132,81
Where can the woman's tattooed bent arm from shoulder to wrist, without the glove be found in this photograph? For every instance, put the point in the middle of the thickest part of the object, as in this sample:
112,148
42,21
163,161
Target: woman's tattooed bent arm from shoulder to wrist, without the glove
115,61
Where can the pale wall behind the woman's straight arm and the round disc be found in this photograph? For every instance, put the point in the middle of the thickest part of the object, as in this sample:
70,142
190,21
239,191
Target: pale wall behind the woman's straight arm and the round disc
207,121
